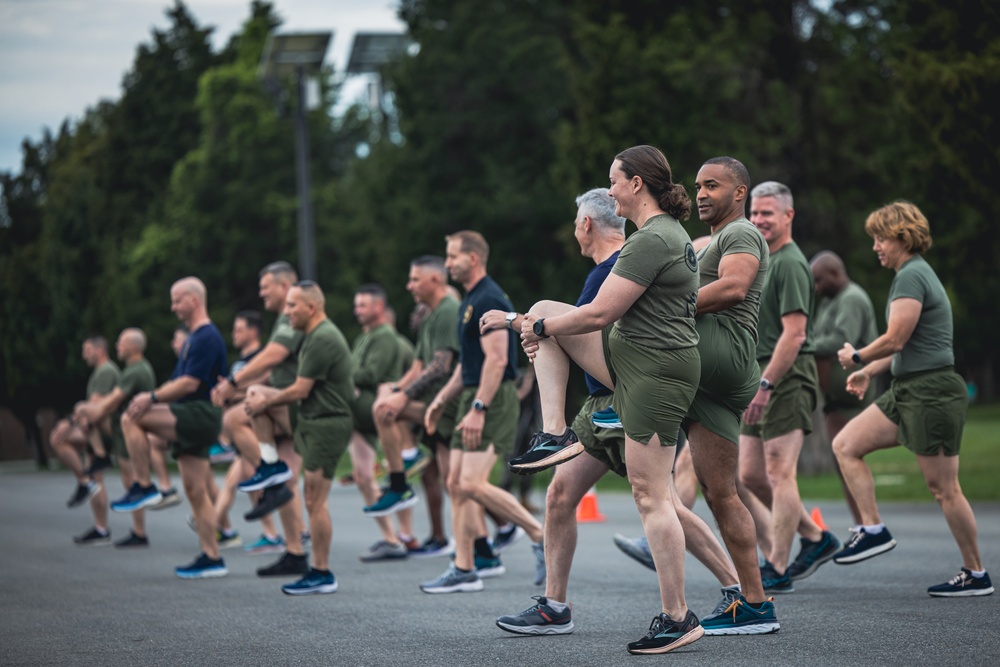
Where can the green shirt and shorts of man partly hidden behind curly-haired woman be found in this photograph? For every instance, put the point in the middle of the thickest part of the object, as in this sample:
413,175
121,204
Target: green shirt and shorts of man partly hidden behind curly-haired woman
848,317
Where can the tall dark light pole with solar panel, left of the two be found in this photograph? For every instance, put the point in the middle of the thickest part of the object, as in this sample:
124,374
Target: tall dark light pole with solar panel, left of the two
298,55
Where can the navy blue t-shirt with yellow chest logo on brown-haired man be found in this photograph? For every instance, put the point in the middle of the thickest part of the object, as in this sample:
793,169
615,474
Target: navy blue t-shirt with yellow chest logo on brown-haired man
486,295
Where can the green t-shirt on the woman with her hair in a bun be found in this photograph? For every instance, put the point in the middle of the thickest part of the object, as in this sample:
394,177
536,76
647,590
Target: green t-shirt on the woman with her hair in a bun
660,257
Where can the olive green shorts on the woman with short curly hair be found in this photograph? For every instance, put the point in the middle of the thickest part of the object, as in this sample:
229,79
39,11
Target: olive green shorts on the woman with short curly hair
929,408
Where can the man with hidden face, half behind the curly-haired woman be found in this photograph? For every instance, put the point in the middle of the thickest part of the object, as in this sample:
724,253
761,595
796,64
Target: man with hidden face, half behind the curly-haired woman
844,313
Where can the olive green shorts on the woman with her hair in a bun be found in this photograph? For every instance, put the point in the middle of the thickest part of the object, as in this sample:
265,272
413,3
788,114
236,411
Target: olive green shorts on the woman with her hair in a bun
653,388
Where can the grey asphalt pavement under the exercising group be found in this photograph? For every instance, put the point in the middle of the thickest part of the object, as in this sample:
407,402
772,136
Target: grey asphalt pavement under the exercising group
65,605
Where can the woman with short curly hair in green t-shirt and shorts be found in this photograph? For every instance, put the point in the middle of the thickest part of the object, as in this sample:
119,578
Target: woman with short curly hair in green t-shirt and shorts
925,408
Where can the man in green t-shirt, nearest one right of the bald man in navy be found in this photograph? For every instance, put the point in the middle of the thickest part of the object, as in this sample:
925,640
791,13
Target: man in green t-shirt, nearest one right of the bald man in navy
324,390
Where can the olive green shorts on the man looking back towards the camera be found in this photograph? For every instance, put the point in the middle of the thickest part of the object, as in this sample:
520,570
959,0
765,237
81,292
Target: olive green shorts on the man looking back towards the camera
730,375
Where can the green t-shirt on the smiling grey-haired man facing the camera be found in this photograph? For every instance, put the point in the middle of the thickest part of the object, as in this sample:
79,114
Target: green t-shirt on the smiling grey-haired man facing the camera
789,287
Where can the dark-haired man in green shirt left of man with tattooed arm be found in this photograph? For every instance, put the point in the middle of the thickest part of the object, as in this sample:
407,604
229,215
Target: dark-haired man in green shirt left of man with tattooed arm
378,360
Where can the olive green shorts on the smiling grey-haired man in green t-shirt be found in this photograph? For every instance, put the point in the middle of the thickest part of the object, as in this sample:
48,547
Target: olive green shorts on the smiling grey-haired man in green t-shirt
792,402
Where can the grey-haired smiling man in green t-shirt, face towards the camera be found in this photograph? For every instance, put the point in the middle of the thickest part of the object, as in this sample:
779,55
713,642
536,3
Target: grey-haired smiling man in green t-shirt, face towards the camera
780,414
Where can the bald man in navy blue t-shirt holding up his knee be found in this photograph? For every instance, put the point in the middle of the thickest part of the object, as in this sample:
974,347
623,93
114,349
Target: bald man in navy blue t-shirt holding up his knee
181,412
